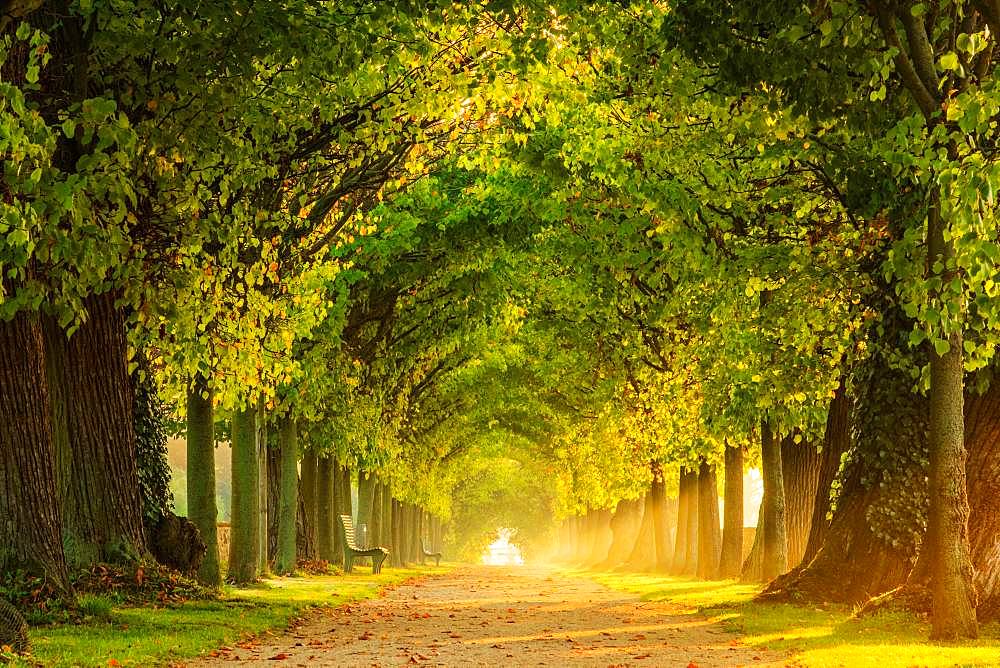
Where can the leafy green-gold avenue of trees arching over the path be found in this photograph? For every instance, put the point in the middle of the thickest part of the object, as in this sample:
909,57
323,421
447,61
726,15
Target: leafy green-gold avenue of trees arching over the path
509,264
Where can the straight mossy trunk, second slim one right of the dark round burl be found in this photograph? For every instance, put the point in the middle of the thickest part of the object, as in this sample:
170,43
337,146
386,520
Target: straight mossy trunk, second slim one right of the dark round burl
244,543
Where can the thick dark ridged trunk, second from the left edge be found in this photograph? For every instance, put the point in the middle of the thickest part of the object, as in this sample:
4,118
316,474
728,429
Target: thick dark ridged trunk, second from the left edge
102,510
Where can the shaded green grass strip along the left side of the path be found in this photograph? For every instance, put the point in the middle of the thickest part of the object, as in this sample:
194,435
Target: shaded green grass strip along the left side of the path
146,636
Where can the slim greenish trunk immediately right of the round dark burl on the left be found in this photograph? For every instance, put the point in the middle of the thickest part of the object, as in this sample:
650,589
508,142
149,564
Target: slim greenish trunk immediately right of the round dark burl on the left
202,510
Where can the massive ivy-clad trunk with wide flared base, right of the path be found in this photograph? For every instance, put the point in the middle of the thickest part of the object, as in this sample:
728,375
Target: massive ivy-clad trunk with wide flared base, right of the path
873,537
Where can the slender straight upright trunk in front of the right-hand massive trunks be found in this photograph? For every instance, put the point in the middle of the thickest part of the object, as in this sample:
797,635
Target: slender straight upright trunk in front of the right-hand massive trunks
952,589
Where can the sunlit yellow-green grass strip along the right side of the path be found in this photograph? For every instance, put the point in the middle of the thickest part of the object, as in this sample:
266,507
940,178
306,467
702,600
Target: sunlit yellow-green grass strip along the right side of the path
813,636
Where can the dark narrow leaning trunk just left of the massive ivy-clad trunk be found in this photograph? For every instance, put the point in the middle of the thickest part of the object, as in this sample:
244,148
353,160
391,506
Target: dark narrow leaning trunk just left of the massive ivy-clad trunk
836,441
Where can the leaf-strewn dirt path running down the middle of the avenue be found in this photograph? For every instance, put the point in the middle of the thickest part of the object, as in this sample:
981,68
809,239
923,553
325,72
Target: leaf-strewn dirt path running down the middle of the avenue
502,617
